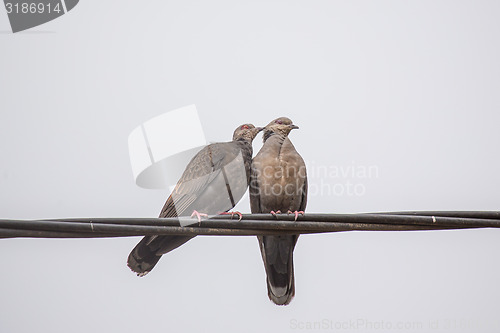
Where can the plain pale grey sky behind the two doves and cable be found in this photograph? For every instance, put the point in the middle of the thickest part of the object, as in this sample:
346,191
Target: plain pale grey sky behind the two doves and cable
408,86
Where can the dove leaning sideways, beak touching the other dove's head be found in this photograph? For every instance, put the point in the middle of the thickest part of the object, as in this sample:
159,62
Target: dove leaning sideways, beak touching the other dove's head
213,182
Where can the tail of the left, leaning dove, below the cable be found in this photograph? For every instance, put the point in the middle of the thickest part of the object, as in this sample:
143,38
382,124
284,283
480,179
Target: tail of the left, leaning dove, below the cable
148,252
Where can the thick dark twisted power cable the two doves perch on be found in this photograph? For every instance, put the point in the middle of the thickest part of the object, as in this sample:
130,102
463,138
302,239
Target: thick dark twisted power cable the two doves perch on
250,224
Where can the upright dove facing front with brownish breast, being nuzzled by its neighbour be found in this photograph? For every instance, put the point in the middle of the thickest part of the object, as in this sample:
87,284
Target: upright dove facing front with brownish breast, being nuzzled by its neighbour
278,183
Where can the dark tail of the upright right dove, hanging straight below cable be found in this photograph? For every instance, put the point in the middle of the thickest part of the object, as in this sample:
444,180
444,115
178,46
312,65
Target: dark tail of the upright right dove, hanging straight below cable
277,253
